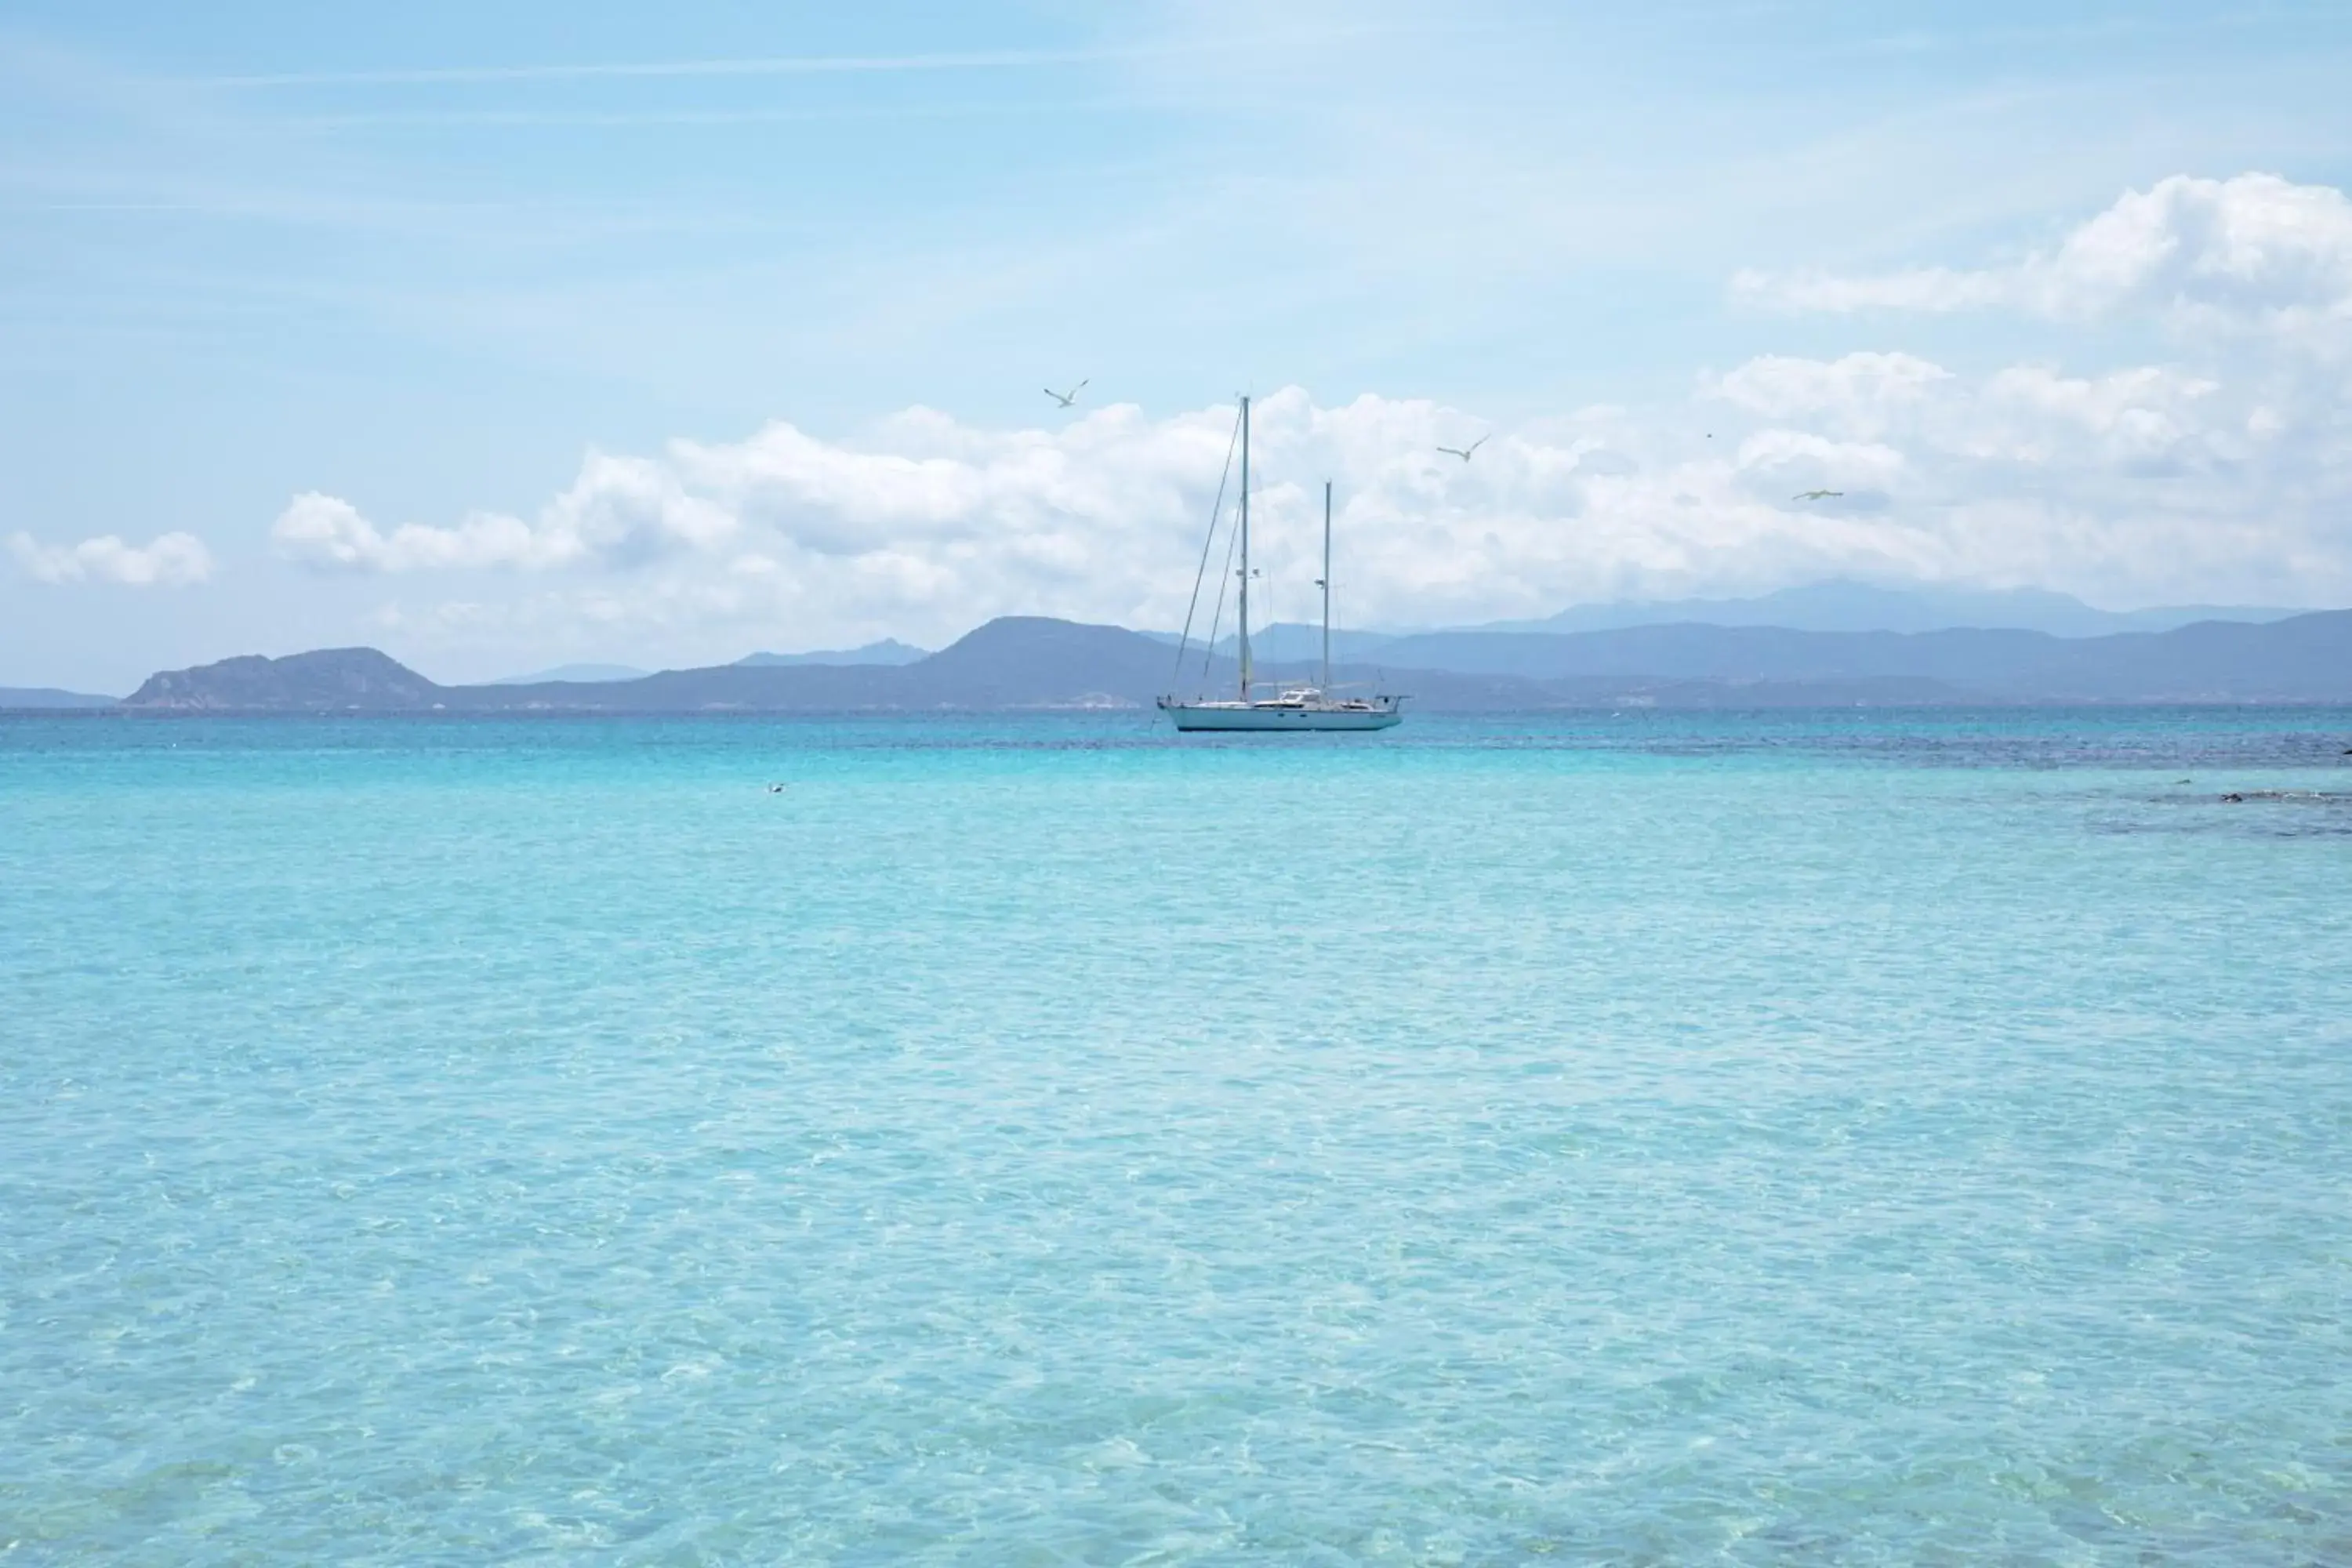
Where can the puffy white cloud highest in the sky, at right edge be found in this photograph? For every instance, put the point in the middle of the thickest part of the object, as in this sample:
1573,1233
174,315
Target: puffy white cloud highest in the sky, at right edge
2250,250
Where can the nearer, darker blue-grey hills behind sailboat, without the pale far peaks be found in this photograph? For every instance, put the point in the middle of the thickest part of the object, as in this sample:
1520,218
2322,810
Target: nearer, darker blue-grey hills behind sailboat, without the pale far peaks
1024,662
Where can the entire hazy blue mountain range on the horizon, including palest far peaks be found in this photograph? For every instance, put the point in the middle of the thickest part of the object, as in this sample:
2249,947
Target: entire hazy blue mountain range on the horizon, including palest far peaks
1824,643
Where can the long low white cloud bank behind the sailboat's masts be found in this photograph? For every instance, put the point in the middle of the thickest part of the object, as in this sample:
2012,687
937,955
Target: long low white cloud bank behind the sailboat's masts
2125,485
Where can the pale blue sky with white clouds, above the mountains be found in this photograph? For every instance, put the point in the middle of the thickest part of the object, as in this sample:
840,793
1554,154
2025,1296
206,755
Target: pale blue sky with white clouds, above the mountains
742,314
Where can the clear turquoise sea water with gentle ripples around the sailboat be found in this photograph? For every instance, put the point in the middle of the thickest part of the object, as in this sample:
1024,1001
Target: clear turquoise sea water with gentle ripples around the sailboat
1852,1139
